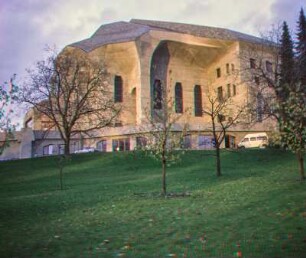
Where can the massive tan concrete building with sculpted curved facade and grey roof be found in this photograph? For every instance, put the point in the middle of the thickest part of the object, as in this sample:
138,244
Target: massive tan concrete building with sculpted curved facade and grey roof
191,61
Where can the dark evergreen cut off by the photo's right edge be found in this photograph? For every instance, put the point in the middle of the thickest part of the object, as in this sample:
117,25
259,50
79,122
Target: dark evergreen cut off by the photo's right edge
301,49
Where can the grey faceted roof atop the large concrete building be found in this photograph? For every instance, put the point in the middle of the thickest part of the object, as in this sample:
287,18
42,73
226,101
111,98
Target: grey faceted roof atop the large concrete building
128,31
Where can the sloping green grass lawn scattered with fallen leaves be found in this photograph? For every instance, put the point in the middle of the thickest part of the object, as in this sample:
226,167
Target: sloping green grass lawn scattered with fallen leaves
111,207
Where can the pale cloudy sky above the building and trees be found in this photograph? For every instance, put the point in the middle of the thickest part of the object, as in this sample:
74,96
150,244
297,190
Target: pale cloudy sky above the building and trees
27,26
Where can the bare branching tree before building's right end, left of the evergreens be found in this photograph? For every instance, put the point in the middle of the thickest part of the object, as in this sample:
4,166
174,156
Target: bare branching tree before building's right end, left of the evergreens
260,63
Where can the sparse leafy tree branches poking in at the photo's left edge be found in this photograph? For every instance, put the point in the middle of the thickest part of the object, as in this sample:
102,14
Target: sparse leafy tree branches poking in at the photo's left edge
8,94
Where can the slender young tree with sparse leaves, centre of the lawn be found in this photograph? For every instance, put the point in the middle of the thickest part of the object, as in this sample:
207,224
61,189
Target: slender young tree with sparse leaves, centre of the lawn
164,135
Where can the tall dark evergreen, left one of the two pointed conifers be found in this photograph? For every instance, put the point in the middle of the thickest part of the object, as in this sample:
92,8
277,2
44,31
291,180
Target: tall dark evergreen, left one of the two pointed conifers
287,65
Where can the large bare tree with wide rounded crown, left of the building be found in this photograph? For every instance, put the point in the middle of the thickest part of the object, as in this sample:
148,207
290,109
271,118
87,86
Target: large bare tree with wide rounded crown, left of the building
72,92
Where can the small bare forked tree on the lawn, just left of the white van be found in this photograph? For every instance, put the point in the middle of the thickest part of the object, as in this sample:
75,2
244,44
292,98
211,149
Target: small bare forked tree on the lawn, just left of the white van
224,114
